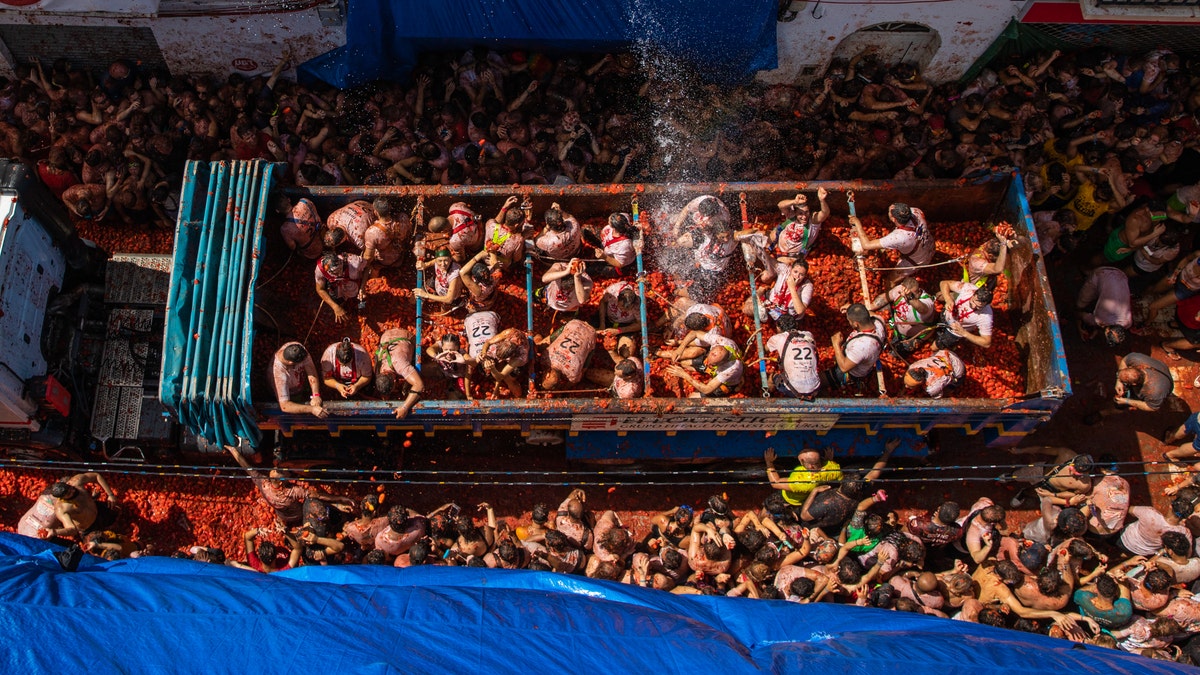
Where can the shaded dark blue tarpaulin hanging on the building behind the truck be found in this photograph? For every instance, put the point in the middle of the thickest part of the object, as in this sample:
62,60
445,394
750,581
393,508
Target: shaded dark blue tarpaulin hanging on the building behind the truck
725,40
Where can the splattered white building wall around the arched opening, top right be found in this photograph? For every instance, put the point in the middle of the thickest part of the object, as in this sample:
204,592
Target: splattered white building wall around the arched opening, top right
965,28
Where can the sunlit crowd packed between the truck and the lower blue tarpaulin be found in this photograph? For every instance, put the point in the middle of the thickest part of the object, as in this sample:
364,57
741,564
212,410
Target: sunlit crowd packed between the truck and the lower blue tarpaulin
1090,566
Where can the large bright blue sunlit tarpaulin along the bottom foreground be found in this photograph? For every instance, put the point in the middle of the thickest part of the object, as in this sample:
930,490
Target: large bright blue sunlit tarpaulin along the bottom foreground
167,616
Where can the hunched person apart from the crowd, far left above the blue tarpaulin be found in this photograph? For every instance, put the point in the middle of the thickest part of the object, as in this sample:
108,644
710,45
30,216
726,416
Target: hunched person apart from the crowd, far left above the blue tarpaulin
68,510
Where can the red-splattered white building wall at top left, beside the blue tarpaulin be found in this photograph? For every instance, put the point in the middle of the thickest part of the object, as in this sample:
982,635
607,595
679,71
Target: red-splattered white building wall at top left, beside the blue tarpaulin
187,45
